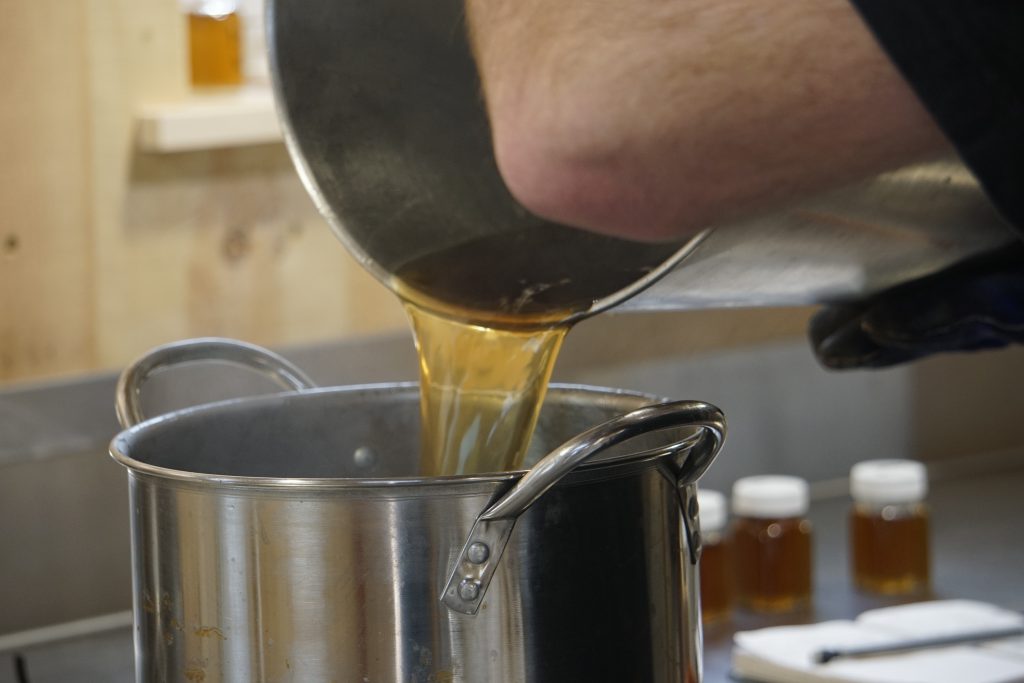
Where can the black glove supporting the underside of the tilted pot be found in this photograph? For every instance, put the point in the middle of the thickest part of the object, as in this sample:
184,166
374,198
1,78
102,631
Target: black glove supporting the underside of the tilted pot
978,305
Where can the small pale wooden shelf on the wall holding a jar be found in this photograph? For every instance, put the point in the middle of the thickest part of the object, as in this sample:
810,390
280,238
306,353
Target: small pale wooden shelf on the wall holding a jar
209,120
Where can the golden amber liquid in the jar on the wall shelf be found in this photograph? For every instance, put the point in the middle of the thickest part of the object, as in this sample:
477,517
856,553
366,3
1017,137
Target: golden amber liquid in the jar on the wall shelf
216,50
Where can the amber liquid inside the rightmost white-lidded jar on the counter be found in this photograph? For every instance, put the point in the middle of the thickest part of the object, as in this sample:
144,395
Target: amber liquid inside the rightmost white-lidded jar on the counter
890,549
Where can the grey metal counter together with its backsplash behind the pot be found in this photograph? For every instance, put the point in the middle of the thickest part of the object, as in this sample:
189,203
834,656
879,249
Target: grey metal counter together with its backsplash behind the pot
65,526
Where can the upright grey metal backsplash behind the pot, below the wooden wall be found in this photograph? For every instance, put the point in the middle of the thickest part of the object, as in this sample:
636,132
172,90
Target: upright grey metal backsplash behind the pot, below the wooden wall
65,500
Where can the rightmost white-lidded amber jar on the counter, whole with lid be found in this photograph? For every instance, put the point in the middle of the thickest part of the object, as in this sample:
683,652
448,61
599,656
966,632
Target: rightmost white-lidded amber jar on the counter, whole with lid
889,528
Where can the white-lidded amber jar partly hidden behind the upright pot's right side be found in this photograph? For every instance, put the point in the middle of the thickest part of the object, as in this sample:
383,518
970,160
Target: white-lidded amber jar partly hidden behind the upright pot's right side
716,570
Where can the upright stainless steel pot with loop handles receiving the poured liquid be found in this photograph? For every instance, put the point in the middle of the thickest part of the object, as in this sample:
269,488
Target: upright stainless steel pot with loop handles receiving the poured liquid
287,538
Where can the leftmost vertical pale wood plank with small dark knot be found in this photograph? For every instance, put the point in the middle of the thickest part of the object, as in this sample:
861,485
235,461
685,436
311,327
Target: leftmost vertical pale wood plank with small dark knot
47,278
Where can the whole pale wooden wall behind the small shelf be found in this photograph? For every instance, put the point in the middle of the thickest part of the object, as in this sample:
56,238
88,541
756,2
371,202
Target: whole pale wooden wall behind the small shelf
106,251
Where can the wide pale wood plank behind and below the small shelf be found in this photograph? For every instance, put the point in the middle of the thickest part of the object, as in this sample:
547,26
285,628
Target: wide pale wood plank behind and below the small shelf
221,242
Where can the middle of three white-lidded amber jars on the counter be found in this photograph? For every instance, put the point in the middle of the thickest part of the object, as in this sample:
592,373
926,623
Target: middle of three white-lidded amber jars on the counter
772,543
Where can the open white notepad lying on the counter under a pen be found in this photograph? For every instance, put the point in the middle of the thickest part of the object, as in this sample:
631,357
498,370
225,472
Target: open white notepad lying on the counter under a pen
787,655
